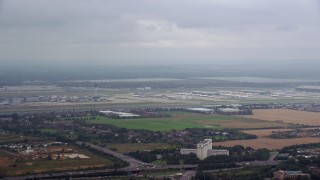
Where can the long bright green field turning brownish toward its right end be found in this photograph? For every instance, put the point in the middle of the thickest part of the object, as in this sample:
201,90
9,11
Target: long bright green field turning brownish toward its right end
183,120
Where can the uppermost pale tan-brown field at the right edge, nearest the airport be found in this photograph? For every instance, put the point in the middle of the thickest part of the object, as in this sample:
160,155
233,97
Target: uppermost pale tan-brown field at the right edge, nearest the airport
287,116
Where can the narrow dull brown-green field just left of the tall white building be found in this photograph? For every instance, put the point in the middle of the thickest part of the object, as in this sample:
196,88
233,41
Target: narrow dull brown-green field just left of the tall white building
132,147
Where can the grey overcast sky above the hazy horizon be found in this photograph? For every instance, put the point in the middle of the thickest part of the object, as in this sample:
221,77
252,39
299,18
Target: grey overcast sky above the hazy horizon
158,31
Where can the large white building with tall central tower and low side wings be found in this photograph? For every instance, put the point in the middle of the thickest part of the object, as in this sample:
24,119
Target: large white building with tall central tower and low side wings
204,150
